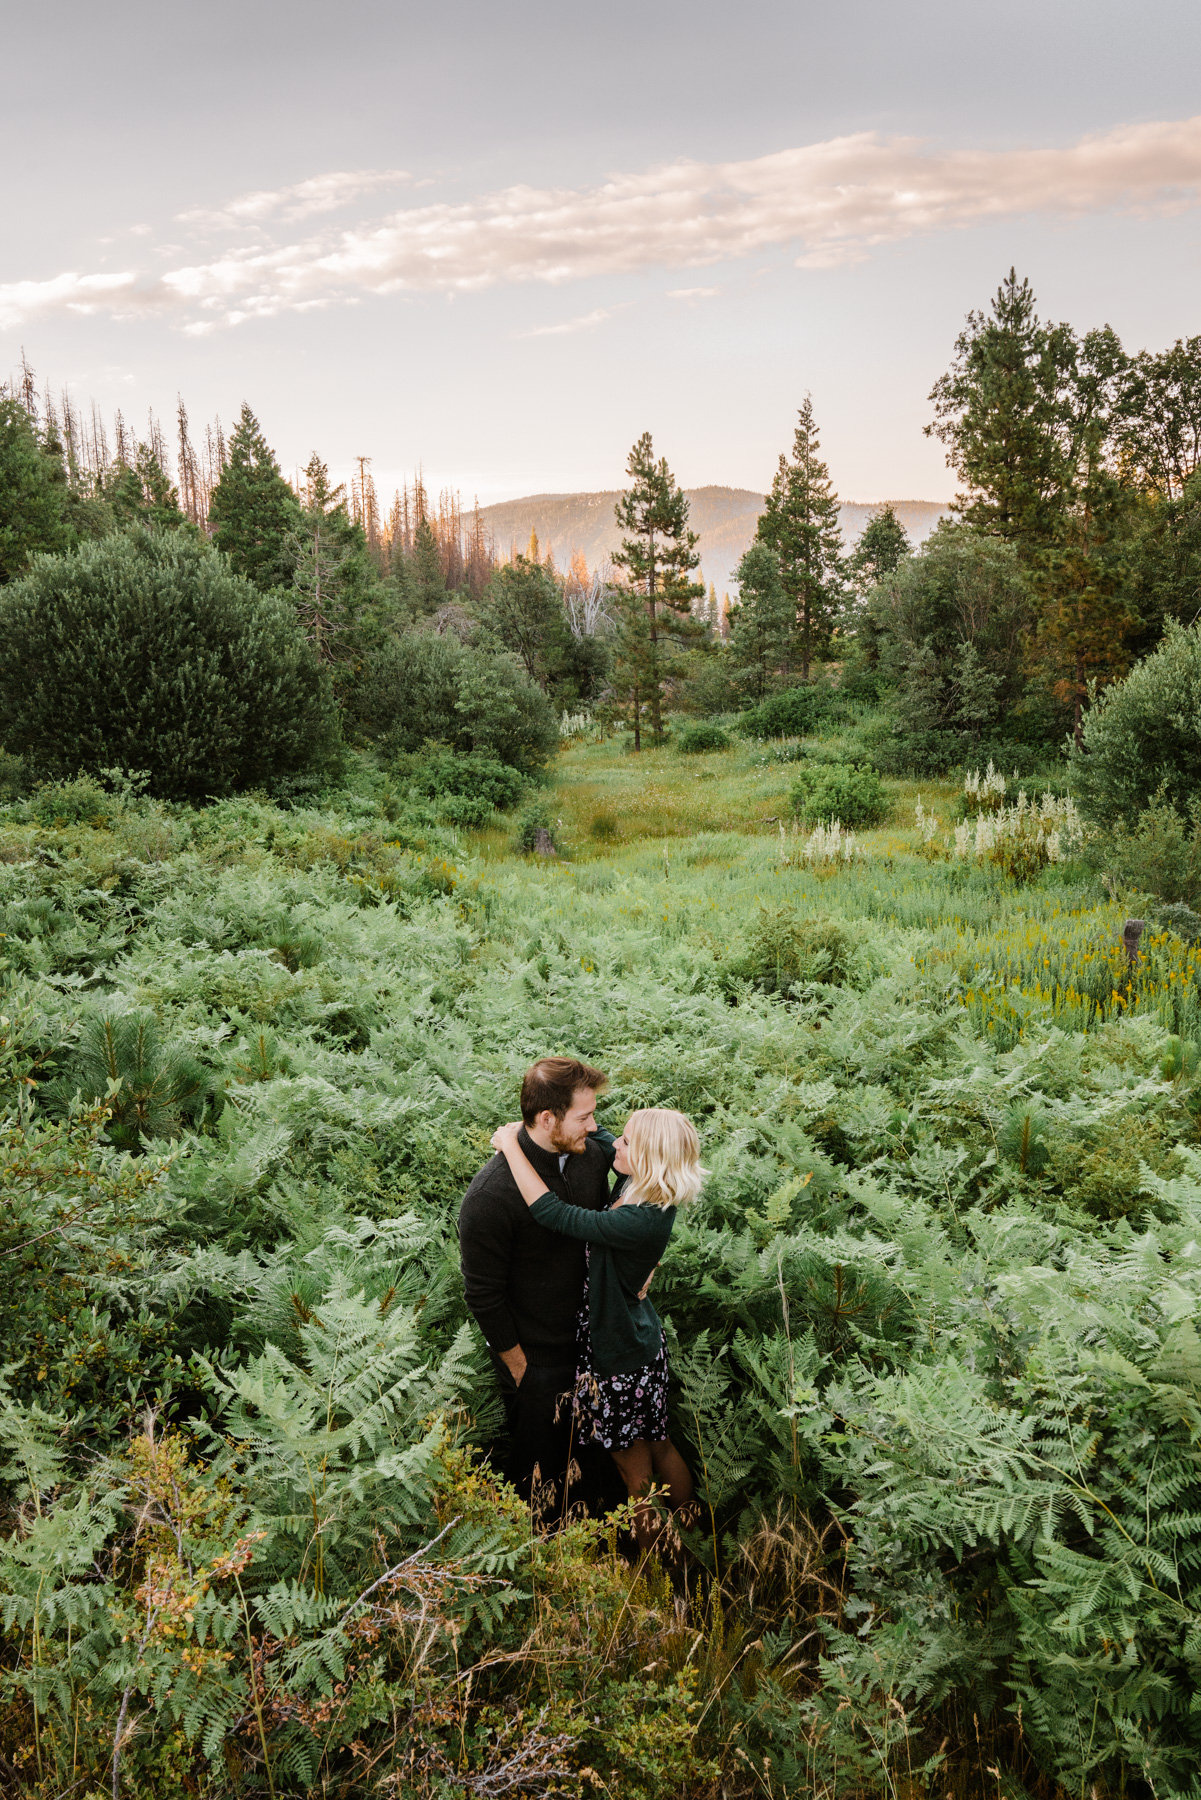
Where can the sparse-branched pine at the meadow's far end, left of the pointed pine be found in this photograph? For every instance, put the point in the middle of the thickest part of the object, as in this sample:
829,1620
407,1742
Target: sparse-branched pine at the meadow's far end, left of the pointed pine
655,611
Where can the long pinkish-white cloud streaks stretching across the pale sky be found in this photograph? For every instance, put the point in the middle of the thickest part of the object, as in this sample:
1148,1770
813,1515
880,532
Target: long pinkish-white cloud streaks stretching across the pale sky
827,204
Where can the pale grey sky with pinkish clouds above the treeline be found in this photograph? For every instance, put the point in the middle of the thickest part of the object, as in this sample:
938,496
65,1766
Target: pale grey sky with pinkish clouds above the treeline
500,242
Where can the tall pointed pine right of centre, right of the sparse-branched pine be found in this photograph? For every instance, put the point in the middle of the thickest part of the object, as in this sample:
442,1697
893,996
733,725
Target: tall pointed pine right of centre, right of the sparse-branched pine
800,523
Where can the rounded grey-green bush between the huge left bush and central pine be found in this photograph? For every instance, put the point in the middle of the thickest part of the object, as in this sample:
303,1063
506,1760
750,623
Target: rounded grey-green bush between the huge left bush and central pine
424,688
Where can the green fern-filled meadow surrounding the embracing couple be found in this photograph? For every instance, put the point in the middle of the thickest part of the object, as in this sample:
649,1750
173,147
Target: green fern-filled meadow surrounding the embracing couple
932,1322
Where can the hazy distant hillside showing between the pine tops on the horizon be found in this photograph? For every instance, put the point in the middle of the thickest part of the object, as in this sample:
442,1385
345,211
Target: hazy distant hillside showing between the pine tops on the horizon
721,517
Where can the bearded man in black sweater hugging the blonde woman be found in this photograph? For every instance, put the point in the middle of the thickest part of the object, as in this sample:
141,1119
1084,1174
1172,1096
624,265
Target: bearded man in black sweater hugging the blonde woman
525,1284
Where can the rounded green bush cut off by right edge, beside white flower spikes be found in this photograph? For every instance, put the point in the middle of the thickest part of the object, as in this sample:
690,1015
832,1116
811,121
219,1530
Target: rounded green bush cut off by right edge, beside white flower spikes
1142,737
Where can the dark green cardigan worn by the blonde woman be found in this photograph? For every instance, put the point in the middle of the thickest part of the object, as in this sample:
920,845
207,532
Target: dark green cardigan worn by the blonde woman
628,1243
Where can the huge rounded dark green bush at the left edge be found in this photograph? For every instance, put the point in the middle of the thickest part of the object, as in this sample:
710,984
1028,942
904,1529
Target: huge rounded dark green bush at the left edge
149,652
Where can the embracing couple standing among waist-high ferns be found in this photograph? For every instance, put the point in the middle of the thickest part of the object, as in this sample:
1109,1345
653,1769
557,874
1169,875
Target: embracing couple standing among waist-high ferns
559,1237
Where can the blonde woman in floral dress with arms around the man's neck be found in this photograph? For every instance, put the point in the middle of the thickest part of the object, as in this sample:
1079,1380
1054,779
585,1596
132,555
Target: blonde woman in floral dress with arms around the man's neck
622,1381
